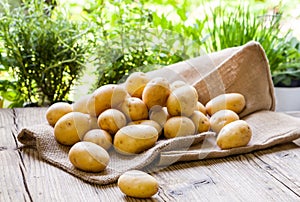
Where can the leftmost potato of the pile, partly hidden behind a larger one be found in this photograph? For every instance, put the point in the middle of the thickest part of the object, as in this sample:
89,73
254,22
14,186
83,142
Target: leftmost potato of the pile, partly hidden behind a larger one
56,111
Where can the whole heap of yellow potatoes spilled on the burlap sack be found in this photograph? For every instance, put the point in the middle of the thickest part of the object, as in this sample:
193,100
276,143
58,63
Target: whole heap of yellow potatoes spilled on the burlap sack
132,116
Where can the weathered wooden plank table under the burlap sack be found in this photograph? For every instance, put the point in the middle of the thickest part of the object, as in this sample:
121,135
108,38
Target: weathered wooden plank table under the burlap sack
268,175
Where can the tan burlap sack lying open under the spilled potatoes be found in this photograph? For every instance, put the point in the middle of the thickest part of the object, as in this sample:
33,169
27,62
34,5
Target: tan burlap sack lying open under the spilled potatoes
242,69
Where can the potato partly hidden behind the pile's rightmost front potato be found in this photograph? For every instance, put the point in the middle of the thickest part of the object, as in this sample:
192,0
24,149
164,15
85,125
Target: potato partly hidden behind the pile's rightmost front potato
221,118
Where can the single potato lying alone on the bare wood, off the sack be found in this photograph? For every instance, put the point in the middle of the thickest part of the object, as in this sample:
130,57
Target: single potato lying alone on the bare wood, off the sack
138,184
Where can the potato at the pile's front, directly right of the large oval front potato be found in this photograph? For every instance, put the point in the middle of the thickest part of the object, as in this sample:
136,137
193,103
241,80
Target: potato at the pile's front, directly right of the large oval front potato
179,126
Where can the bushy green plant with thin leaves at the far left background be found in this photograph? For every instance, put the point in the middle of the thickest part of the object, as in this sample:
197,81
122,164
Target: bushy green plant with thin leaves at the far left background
42,50
